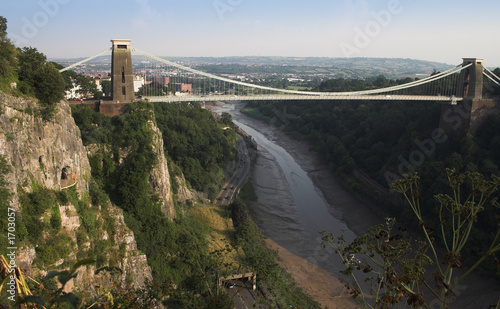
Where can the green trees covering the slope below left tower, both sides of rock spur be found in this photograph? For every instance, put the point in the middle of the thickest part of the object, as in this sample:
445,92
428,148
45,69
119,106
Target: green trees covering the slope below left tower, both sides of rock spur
176,250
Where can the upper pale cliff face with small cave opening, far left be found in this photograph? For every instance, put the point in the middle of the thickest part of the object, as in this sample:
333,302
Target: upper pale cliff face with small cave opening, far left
49,153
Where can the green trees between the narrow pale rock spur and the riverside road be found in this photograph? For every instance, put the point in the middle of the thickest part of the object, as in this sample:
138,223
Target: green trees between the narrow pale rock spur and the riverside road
196,143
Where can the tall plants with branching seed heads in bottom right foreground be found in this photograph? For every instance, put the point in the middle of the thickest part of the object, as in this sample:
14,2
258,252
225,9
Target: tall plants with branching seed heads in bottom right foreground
395,264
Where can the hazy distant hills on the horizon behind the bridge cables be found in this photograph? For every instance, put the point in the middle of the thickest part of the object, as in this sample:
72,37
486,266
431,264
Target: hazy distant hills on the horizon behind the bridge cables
335,67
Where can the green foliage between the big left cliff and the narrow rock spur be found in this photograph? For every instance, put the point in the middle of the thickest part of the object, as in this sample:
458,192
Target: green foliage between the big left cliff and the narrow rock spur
176,250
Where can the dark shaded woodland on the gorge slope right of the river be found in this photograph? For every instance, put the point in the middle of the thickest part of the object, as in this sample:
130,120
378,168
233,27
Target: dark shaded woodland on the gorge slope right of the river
377,137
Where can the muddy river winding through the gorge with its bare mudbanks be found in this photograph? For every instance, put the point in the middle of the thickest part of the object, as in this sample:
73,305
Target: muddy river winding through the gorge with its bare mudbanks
298,197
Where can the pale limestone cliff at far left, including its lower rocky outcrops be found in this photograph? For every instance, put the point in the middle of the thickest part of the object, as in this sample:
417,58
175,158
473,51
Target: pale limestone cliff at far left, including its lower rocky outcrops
51,154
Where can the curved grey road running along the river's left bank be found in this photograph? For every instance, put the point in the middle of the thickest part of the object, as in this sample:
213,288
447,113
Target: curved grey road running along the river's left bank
233,186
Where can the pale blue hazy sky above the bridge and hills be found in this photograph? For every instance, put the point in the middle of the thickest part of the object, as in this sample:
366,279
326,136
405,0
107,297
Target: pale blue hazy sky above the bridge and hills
443,31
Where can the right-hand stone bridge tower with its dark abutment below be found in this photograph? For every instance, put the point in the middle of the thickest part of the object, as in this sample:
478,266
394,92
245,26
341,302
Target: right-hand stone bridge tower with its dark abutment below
469,113
